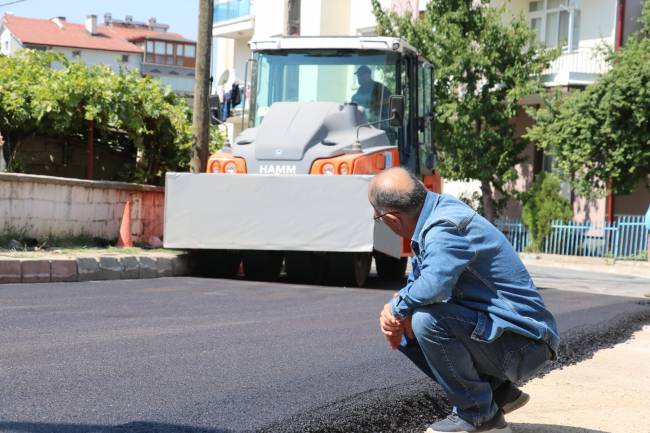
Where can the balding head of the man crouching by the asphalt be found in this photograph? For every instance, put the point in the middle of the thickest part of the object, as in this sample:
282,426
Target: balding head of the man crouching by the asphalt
396,189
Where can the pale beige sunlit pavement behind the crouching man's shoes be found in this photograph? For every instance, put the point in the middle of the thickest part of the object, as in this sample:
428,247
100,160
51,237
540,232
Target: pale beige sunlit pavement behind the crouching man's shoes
608,393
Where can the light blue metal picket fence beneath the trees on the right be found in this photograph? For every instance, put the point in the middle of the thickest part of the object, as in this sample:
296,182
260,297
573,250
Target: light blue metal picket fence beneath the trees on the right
625,238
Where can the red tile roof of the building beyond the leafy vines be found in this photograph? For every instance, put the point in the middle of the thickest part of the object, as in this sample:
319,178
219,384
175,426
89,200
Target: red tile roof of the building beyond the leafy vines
47,32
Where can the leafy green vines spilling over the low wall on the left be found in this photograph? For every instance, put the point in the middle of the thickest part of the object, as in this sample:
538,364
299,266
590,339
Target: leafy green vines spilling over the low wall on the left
62,101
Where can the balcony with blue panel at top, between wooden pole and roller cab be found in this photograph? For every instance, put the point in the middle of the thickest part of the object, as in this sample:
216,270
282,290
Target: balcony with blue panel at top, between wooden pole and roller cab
233,18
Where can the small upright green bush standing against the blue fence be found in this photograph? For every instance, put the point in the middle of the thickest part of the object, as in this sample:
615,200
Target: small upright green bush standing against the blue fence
542,205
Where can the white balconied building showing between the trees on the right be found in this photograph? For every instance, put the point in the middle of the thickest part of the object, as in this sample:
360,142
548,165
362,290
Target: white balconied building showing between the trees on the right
582,30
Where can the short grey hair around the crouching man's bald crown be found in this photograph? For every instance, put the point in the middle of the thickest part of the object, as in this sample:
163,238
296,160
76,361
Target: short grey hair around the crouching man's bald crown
409,201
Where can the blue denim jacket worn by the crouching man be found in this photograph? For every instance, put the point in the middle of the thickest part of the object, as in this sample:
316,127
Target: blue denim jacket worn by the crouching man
461,257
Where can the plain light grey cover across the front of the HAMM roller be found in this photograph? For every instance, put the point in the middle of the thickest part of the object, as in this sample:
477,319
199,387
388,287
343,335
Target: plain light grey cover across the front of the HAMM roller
265,212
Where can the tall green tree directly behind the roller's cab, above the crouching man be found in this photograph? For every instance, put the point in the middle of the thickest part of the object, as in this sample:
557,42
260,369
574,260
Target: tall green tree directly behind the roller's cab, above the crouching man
483,68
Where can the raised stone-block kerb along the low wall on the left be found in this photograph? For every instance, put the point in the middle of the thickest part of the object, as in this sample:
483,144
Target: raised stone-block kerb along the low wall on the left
89,265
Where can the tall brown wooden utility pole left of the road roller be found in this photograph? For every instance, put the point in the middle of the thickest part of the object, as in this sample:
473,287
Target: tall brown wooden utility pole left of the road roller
200,117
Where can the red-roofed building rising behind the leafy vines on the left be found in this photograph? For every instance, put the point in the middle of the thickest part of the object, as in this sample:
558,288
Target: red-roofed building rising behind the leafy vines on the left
148,47
